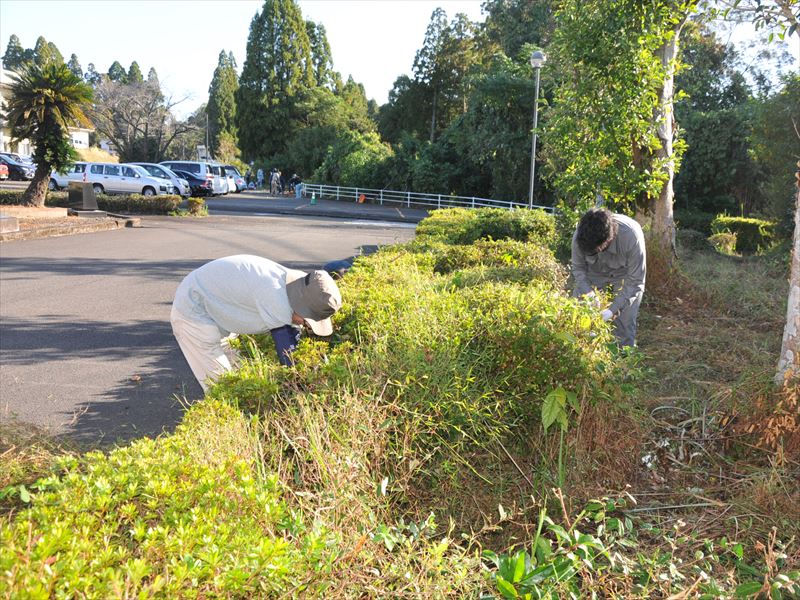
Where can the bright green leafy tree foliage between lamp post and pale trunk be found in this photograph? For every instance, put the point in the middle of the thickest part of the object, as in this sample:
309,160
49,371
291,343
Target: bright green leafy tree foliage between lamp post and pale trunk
602,134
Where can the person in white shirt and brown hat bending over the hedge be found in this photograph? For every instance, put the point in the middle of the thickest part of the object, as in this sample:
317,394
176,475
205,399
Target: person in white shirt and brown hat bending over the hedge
247,294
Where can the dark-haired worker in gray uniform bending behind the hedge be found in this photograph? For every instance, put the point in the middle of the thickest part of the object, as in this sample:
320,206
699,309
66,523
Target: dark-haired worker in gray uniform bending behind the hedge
608,251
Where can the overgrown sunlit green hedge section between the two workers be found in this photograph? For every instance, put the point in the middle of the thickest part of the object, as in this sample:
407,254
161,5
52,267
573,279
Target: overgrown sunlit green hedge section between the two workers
472,363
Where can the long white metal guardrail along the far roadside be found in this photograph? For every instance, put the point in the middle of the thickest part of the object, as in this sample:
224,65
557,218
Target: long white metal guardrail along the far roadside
346,194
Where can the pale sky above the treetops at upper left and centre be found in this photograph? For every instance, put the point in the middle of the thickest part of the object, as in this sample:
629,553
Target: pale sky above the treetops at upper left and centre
375,41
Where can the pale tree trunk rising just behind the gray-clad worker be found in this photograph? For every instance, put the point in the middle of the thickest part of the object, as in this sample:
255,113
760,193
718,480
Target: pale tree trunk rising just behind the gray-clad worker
663,221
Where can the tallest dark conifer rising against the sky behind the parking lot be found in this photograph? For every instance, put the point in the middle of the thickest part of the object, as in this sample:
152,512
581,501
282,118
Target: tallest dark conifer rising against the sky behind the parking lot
278,67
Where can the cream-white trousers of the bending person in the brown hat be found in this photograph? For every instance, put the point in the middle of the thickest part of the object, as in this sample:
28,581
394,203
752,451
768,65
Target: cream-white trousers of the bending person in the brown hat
205,346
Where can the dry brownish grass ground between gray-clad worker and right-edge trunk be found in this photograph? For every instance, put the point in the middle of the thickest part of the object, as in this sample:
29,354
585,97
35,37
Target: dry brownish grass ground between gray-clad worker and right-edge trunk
723,445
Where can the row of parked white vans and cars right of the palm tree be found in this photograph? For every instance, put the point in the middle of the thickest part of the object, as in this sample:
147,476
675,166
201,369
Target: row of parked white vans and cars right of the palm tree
180,177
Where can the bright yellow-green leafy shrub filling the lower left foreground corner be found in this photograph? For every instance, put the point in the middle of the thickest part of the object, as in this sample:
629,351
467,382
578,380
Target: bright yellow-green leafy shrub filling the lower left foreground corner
182,515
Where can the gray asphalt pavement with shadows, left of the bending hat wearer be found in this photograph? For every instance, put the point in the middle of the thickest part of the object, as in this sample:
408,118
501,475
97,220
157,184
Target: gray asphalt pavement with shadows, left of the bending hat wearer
86,348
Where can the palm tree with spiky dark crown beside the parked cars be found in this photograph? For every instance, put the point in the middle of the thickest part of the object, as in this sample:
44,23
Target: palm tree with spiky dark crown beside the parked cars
45,100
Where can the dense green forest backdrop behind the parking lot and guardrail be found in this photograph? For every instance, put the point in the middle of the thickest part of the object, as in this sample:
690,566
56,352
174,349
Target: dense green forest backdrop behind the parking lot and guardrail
461,123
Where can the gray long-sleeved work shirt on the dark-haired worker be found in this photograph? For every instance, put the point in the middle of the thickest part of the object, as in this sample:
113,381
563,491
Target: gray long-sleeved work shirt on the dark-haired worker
623,264
